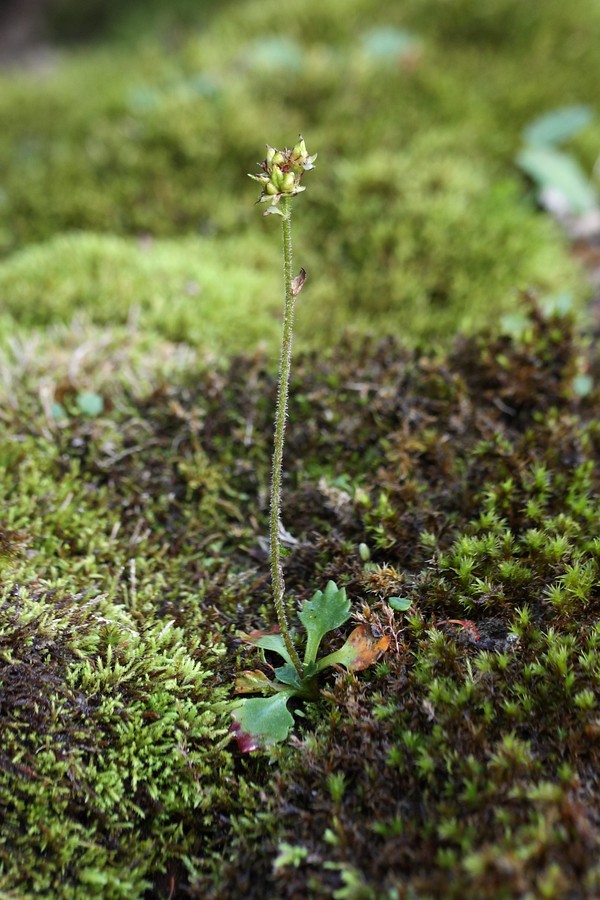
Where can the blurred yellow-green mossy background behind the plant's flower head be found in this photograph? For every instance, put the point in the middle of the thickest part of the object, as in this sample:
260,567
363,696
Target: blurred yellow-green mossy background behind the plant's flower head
125,145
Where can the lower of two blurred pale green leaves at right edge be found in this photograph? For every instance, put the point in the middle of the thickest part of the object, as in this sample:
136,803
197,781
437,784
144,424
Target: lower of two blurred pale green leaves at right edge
550,168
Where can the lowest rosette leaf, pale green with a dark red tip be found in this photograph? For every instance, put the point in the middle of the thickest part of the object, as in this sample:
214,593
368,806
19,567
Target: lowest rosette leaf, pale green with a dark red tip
259,722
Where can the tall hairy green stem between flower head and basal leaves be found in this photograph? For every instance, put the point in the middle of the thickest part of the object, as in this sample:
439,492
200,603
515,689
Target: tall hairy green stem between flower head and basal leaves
285,363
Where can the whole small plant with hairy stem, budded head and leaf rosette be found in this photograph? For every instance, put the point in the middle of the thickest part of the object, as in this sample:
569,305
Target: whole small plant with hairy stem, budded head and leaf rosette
261,721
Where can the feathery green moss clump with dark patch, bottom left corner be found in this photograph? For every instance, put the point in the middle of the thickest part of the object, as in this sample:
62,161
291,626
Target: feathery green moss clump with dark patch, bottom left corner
110,735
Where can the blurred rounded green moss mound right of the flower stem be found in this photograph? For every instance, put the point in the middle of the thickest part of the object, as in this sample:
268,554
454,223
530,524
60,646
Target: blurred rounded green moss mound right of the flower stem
421,240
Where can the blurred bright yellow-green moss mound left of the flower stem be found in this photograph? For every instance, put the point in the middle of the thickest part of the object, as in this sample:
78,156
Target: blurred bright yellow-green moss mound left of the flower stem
200,291
